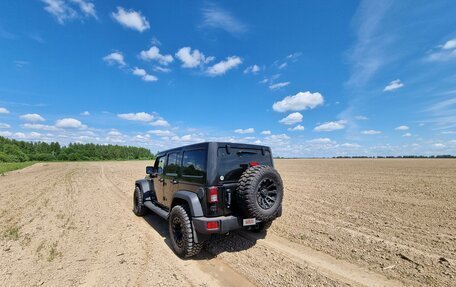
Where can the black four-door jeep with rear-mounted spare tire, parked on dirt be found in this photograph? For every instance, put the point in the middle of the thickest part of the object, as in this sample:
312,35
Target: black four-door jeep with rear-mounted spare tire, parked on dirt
210,188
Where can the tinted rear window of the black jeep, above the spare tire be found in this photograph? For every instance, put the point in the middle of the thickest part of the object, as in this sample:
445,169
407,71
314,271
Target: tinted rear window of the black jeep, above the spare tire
232,165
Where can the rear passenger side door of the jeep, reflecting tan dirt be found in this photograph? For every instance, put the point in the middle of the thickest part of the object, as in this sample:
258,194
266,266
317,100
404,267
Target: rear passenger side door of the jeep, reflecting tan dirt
171,176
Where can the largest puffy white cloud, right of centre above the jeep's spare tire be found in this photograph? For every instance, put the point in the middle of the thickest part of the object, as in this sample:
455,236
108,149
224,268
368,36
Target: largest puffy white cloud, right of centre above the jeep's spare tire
300,101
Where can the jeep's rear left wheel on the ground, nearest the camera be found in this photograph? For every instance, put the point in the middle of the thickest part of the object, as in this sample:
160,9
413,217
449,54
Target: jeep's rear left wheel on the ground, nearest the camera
181,233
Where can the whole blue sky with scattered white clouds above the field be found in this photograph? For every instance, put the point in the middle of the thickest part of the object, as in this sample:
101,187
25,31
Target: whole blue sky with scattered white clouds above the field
308,78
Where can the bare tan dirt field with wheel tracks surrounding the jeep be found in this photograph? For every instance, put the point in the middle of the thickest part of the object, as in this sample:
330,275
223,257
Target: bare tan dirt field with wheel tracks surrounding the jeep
345,223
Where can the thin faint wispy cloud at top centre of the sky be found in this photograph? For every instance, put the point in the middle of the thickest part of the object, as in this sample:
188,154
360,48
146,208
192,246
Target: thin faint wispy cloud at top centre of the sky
215,17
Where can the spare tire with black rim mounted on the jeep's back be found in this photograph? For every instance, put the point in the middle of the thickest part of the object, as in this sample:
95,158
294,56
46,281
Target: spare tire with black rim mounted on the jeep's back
260,193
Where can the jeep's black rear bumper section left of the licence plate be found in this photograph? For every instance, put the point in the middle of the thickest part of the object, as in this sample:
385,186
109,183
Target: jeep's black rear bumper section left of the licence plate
225,223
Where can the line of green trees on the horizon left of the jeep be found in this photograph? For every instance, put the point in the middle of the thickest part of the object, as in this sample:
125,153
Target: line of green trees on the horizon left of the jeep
20,151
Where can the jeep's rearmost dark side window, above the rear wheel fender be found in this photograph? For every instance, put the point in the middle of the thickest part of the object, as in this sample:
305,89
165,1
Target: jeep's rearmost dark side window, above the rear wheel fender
194,165
